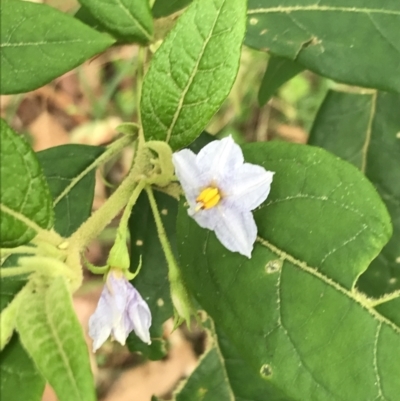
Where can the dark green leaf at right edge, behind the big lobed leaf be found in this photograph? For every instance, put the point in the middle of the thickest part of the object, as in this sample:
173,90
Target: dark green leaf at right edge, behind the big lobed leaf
364,130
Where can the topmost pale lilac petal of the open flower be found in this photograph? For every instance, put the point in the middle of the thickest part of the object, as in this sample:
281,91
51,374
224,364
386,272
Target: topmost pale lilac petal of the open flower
219,159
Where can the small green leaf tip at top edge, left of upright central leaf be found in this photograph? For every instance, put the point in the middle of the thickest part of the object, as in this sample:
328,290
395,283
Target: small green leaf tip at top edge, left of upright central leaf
129,20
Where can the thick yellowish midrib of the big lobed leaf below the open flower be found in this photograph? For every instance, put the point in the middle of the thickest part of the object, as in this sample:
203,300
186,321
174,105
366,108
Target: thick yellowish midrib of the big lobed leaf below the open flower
355,296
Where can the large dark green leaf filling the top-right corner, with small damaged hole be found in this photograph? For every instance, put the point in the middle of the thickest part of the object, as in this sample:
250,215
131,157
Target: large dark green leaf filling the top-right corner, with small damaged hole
334,40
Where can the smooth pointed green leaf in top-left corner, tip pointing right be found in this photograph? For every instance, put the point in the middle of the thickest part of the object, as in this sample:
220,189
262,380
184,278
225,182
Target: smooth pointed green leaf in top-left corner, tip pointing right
39,43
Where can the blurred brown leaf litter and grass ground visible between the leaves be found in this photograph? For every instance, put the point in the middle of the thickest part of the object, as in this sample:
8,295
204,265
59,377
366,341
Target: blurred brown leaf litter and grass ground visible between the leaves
84,106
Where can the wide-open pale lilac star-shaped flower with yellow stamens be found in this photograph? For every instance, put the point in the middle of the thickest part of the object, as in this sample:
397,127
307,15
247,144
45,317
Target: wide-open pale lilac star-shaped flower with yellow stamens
222,190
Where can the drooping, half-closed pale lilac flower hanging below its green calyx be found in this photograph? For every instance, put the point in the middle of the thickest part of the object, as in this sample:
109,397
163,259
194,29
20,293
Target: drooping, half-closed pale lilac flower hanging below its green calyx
120,310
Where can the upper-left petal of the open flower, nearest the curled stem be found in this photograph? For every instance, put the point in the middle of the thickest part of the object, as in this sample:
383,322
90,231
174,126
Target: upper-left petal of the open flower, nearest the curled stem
188,174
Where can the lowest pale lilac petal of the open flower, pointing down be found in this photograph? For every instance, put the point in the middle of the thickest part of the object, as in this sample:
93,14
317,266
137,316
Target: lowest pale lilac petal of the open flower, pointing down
236,230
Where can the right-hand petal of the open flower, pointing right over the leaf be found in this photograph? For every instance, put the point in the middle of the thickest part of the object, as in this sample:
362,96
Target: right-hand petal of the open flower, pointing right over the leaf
248,187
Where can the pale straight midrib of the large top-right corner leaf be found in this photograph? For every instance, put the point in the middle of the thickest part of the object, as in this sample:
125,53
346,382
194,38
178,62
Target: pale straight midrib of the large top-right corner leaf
321,8
